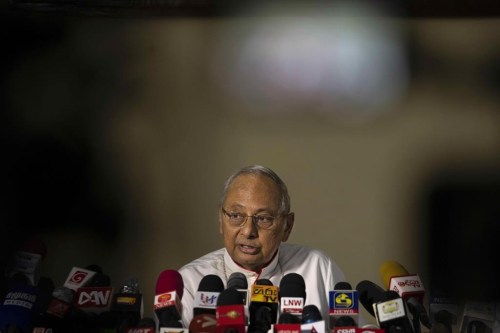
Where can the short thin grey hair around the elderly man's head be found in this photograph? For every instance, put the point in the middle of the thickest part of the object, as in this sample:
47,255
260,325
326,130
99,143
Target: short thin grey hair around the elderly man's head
264,171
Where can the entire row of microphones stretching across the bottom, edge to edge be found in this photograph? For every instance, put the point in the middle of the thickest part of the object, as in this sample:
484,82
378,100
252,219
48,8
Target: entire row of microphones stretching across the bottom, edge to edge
86,302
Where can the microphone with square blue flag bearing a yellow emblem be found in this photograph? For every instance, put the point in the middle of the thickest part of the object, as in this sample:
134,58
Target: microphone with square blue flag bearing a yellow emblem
344,309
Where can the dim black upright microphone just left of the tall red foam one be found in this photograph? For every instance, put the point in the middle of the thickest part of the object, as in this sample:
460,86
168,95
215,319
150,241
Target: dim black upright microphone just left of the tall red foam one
127,305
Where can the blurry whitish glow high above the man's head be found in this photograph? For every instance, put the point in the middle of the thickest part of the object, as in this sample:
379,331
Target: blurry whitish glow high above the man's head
339,60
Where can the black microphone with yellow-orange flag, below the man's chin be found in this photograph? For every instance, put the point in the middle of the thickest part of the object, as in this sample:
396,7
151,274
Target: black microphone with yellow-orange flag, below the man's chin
263,306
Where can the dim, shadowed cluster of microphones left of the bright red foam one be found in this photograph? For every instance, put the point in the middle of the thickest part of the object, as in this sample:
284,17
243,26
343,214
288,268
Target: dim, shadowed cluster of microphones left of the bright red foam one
85,303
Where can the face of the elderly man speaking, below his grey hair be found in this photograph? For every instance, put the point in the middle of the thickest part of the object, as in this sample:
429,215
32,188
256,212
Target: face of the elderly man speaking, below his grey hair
249,246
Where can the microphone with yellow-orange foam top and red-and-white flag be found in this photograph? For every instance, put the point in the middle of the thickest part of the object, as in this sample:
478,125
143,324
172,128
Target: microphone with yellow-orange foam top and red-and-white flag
409,287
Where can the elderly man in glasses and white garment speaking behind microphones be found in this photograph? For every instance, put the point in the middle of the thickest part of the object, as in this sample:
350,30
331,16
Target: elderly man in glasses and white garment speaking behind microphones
255,221
